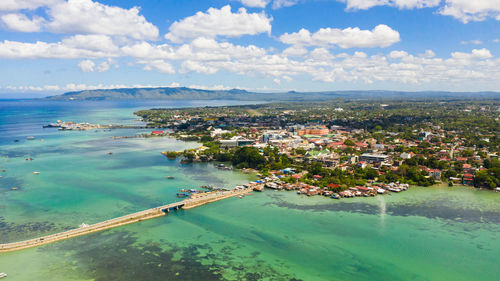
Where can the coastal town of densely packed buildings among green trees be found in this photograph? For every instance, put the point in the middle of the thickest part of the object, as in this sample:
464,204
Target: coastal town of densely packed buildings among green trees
322,149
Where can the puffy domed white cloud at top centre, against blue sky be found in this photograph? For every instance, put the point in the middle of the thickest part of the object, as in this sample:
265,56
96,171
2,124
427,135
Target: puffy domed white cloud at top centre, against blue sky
219,22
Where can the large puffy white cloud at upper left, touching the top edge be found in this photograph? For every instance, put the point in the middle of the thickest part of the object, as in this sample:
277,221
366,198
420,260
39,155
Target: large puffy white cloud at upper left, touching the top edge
89,17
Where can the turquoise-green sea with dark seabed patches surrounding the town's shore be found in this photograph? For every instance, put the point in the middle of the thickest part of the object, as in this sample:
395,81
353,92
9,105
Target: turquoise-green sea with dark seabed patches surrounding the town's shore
436,233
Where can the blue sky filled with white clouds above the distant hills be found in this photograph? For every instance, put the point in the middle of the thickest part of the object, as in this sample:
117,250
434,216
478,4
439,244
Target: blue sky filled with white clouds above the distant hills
53,46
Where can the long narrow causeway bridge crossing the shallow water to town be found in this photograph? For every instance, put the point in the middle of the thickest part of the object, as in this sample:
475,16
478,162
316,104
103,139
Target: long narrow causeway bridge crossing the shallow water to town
124,220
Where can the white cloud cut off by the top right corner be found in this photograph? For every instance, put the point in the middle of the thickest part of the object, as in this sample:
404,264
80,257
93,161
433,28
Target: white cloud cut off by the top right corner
468,10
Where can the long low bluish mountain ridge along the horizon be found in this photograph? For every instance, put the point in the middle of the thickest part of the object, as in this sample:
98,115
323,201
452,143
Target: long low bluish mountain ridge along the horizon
182,93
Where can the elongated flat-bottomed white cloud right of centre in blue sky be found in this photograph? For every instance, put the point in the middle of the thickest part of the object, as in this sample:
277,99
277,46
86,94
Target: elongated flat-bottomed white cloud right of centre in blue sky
381,36
